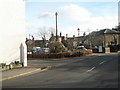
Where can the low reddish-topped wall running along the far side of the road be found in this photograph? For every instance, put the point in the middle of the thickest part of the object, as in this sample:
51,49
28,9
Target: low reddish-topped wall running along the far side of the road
60,55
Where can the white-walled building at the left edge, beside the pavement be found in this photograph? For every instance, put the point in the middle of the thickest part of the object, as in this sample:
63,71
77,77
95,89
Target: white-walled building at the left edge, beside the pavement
12,32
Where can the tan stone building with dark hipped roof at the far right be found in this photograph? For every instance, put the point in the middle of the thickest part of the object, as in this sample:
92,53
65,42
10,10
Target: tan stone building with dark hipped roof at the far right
104,38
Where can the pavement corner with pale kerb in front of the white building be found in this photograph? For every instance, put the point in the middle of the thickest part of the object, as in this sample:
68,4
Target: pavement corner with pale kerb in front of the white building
22,71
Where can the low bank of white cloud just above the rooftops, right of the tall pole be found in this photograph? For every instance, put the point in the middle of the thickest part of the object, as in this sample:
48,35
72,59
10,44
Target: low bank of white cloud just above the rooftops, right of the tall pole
95,23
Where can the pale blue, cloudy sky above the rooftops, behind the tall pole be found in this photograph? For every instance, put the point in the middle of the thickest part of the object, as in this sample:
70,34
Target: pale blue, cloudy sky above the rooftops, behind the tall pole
88,16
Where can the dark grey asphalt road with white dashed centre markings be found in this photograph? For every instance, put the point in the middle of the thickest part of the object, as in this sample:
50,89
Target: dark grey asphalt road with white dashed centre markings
97,71
